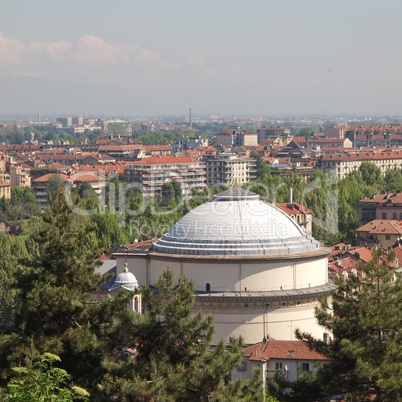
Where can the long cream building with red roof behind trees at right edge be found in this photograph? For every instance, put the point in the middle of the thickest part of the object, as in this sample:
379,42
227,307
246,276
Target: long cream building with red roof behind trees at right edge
347,162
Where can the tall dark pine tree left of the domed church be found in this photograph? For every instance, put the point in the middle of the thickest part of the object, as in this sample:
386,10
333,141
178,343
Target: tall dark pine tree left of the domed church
57,313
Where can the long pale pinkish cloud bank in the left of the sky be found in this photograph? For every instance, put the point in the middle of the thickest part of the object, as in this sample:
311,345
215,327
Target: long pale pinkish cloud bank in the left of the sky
93,60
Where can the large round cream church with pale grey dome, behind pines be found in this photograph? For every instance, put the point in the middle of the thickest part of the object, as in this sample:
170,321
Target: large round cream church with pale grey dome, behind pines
255,269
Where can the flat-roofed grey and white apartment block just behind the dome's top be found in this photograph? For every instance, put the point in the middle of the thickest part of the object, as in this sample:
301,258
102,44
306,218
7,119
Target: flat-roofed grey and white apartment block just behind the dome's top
229,169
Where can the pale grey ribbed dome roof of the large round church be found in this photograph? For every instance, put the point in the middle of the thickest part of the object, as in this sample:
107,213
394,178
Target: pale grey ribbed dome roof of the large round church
236,222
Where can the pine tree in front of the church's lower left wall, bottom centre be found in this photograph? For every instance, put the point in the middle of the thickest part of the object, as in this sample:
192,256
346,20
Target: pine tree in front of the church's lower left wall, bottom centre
174,358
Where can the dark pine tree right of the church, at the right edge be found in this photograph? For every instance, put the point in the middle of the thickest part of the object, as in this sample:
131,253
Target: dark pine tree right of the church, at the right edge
366,322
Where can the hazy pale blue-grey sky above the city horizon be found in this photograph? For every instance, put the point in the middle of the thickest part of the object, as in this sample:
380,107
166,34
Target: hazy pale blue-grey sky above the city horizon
152,57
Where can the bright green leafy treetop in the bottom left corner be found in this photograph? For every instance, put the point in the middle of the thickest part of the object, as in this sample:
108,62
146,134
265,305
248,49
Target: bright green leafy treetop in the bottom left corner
43,382
